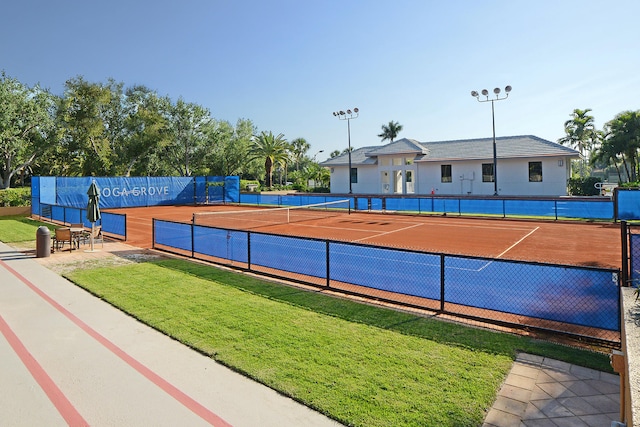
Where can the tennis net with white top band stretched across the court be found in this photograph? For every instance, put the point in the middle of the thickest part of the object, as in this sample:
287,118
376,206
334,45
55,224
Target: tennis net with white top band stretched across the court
264,217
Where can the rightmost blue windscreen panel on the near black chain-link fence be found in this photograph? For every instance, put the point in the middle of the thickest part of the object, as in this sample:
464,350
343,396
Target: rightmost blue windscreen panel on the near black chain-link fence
572,295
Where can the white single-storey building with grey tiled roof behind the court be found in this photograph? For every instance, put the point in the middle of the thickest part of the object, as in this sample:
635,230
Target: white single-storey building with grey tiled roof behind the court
526,166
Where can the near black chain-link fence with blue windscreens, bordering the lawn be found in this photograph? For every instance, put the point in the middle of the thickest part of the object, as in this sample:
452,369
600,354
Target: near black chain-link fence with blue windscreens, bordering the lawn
581,302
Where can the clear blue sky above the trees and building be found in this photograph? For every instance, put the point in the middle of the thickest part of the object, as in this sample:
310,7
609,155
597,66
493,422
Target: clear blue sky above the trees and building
287,65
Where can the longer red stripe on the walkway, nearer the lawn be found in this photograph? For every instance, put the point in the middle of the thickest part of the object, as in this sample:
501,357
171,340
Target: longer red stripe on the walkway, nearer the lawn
170,389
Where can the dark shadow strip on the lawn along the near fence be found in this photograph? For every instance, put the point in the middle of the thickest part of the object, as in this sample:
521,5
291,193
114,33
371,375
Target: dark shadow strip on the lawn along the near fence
402,322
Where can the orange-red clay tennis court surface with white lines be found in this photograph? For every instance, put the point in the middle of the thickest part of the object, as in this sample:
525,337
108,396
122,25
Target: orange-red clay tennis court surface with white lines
573,243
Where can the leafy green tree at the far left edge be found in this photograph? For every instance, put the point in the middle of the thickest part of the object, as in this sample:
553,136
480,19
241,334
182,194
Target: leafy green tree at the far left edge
26,124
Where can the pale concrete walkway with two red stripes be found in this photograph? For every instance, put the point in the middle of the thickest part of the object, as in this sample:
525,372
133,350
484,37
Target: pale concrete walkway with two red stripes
69,358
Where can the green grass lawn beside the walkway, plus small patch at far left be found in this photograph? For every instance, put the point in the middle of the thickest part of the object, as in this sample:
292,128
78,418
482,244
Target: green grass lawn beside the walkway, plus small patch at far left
359,364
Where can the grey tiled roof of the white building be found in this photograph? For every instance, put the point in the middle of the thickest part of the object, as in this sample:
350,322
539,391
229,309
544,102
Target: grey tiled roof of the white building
507,147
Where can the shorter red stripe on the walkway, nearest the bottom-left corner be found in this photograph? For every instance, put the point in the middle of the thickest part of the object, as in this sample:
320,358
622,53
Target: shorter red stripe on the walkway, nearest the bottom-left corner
55,395
